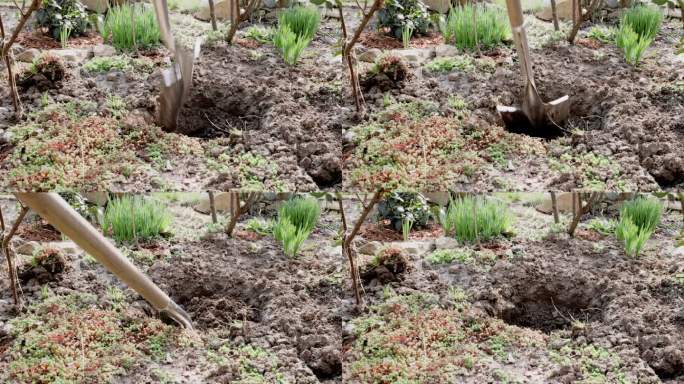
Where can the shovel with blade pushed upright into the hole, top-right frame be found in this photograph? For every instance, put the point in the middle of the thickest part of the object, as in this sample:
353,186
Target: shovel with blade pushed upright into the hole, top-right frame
534,117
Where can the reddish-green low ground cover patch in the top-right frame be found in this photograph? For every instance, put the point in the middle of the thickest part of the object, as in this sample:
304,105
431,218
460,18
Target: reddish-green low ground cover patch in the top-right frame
392,149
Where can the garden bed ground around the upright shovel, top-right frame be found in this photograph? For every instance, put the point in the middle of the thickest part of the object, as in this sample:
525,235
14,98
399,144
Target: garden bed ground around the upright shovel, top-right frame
623,132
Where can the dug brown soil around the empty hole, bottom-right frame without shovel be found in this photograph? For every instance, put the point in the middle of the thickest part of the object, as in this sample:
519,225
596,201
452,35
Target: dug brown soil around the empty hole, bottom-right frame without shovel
627,305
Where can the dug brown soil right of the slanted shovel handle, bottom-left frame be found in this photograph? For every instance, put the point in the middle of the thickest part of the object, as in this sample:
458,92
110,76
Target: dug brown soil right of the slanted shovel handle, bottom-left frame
285,305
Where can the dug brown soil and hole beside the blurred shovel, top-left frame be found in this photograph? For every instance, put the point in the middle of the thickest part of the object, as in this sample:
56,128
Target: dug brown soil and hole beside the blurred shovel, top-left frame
292,116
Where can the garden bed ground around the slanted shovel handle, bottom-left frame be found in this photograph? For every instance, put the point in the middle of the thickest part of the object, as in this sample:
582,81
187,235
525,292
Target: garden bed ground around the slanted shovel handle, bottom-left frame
81,324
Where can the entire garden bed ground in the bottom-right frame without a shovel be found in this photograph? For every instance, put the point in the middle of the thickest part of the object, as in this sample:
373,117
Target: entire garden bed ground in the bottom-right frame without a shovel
528,312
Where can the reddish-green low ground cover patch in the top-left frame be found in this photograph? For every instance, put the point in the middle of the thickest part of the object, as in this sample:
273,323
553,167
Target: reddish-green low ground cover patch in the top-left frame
71,159
